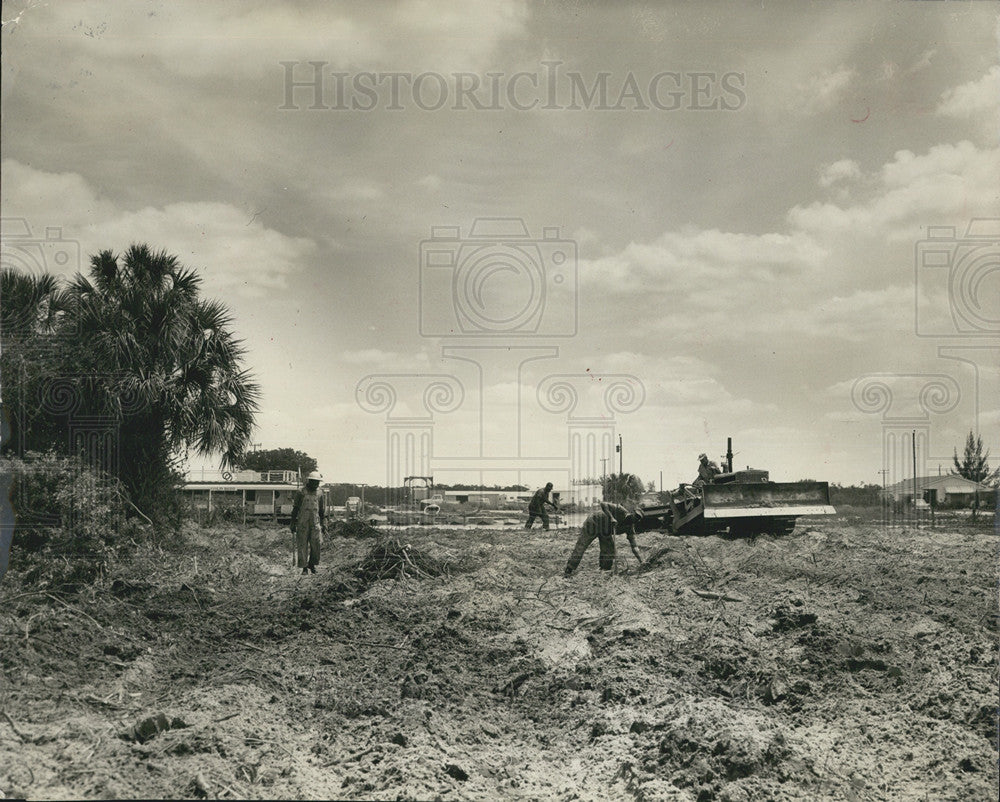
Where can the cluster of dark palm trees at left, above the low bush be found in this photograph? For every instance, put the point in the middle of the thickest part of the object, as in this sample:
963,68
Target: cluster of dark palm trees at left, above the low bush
127,370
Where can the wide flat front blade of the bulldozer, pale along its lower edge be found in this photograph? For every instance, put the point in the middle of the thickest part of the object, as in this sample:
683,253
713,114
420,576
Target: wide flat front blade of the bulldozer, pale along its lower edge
767,500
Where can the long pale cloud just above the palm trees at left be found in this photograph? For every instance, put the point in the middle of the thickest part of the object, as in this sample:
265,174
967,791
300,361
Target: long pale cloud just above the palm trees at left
229,248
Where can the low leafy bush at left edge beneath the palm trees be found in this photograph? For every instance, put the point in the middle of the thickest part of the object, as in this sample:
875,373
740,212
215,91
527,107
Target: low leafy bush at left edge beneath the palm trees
70,522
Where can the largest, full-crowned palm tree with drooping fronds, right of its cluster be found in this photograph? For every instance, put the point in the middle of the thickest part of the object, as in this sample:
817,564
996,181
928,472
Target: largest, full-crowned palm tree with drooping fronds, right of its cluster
164,364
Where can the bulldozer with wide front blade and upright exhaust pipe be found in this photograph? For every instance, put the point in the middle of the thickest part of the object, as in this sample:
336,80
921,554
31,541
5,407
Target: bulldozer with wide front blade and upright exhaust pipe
738,503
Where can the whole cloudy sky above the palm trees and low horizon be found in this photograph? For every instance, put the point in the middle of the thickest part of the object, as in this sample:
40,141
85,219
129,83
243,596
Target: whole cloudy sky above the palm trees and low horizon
486,240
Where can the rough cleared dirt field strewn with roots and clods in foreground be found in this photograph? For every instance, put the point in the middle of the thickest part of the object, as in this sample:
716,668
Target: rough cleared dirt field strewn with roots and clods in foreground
840,662
